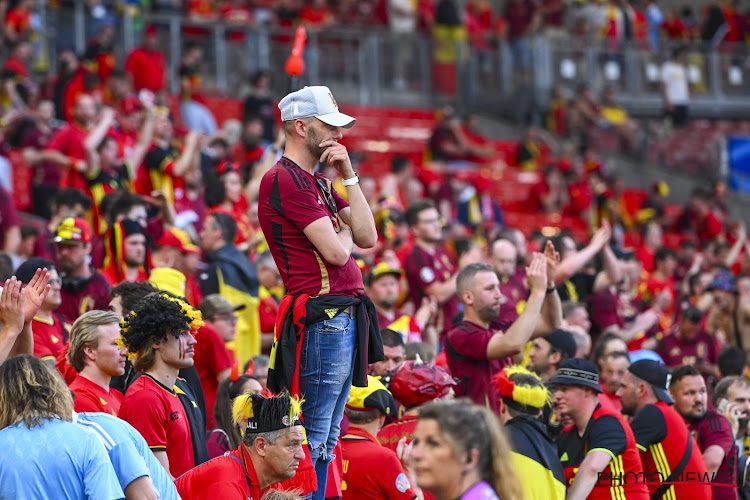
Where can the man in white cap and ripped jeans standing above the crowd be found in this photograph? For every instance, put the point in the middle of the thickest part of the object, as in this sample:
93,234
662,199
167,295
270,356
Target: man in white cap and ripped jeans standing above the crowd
311,232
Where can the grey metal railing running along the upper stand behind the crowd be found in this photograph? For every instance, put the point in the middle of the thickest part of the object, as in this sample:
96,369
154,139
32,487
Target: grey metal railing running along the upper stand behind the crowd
373,66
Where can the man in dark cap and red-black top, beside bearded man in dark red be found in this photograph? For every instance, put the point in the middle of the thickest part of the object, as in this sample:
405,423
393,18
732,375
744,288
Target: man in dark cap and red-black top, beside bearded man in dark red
668,451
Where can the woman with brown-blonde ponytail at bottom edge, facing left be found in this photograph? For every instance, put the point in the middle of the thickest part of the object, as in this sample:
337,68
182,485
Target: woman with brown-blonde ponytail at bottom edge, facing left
460,452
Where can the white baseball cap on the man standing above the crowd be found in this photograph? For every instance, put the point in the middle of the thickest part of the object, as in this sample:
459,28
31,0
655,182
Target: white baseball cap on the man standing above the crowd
314,101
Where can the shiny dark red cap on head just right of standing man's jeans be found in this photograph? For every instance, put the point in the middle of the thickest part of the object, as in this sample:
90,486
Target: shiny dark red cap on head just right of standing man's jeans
415,384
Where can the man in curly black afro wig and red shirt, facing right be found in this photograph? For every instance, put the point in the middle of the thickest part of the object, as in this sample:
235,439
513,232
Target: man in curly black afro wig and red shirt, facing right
158,333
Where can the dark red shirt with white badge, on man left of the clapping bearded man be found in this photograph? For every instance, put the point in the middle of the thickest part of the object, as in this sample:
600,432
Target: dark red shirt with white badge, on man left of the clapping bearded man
422,270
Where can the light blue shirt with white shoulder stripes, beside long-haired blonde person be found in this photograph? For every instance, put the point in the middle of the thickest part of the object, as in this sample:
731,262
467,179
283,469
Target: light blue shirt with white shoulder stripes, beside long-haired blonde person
129,452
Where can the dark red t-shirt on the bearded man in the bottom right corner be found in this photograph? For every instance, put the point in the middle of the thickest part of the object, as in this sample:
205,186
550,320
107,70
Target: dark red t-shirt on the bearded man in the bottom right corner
714,430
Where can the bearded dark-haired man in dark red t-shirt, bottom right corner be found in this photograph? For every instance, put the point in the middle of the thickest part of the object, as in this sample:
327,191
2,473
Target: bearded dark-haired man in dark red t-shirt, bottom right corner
711,429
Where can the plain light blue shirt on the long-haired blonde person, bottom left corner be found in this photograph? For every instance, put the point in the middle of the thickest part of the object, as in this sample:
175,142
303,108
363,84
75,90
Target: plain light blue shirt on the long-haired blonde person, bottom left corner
55,460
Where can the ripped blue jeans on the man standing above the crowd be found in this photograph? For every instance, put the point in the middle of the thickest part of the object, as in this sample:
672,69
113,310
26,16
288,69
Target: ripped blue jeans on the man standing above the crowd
326,367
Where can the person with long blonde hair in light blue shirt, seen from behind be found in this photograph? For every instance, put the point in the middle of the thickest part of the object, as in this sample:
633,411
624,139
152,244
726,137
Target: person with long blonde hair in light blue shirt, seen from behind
36,434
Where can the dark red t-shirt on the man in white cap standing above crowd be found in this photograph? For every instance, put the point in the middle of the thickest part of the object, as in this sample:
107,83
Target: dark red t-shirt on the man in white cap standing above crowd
291,199
